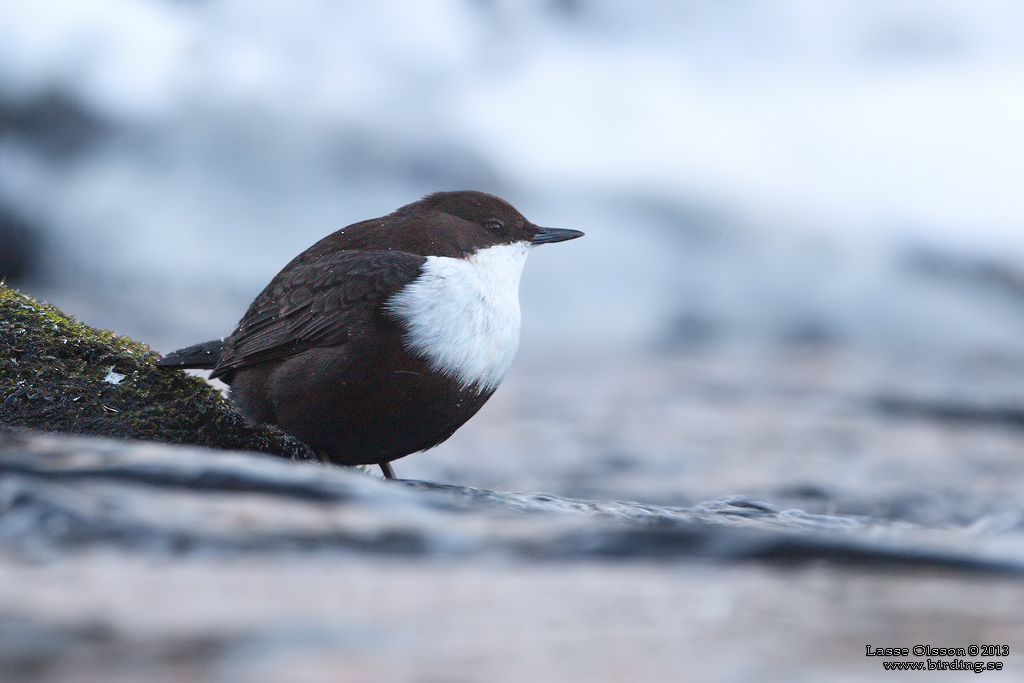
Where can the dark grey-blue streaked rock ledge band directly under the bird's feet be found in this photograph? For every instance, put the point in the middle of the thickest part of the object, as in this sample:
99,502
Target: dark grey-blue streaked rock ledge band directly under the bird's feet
59,494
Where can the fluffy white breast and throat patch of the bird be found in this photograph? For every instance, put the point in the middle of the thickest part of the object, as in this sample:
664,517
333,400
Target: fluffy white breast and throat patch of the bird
463,314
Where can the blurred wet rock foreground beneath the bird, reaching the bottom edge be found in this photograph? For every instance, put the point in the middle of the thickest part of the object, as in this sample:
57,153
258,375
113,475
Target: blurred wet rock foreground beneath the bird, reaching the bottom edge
123,561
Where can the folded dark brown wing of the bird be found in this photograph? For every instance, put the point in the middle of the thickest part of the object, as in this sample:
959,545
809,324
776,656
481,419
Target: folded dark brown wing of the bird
322,303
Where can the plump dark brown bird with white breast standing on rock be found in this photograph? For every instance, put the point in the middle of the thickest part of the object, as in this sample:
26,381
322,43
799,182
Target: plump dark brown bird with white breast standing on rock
386,337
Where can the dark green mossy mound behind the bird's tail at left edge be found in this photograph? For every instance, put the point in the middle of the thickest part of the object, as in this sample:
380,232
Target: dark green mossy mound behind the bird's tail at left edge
56,375
